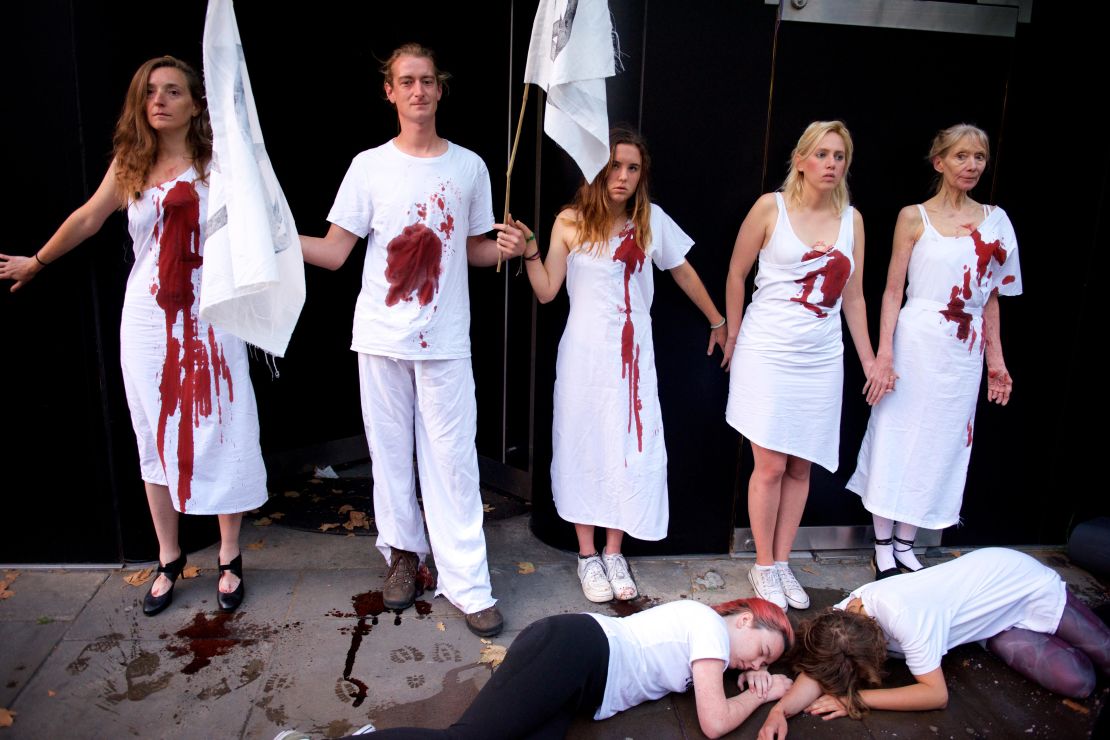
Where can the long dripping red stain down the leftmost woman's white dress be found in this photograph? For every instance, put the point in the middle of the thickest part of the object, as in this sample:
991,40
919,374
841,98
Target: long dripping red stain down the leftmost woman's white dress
188,373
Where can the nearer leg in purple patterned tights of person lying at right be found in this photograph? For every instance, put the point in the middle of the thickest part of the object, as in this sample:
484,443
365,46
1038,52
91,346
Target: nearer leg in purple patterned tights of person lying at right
1046,660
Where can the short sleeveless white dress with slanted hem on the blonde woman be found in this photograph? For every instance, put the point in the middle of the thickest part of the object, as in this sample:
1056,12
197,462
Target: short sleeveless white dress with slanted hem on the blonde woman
788,372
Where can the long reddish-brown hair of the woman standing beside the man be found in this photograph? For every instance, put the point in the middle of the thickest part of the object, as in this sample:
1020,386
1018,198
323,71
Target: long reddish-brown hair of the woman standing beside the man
593,207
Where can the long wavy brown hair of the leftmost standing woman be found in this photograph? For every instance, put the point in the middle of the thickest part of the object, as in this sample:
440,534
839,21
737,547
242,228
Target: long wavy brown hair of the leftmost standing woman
135,144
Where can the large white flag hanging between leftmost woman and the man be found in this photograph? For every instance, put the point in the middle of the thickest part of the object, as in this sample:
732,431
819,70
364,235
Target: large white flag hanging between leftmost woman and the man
254,280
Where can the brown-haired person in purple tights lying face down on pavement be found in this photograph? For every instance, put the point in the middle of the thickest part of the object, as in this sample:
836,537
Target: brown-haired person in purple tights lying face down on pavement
1022,609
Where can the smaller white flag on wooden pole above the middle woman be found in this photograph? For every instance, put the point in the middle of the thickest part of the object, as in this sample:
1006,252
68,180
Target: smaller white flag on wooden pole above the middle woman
570,56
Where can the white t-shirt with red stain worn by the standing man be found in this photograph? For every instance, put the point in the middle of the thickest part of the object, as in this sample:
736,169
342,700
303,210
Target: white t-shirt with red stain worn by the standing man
417,214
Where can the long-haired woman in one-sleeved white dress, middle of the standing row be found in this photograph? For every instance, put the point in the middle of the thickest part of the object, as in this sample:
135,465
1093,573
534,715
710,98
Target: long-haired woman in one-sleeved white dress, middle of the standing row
610,462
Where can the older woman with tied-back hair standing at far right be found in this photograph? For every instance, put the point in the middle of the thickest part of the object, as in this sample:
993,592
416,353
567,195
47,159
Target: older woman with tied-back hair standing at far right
960,257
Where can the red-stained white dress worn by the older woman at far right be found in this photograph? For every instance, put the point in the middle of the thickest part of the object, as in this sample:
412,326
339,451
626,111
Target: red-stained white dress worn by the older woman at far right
914,461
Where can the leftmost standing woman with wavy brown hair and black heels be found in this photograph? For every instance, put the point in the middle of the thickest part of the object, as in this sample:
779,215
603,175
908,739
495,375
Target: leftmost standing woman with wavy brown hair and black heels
187,382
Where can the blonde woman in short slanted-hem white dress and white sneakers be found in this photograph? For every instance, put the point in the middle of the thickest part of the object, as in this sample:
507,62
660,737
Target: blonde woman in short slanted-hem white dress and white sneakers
788,373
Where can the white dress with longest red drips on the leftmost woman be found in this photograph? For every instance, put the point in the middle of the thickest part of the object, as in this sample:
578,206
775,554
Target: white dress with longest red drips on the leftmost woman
187,382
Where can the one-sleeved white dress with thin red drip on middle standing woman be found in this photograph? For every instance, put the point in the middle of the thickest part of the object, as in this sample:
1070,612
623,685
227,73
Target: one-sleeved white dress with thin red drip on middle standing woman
610,462
